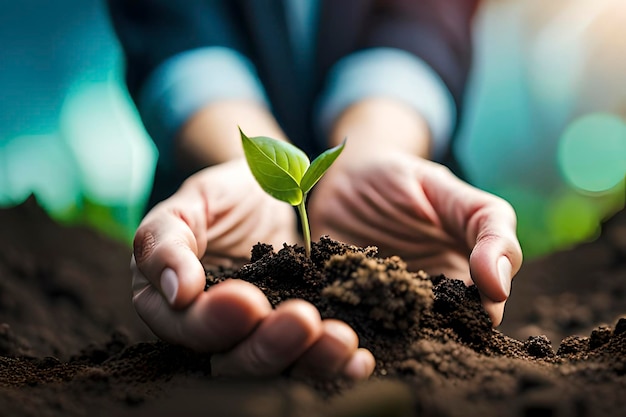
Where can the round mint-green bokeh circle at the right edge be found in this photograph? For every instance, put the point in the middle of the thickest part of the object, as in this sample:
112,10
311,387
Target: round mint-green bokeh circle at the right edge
592,152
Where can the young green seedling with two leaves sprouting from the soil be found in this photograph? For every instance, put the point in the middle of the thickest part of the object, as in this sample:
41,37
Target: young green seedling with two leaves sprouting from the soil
285,172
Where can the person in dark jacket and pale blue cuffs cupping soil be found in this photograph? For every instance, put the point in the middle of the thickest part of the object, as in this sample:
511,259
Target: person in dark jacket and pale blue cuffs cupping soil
389,75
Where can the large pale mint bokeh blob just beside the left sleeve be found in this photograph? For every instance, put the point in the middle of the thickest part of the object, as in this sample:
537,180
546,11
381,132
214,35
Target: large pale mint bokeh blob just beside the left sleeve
115,154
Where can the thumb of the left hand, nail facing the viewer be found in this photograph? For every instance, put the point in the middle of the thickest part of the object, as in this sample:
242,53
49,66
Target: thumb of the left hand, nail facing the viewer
166,249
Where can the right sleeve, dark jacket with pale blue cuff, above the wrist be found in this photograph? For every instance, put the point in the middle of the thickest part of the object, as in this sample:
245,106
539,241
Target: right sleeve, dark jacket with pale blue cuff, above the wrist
418,51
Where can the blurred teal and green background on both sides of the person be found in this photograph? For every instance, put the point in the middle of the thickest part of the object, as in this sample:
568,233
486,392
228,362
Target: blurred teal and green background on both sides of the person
545,125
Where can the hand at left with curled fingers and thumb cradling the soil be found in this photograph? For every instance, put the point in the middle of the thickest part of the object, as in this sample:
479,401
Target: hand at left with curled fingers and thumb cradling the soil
219,213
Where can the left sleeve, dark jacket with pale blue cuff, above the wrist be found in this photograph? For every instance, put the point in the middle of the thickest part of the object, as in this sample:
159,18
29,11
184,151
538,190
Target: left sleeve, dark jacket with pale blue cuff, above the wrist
179,59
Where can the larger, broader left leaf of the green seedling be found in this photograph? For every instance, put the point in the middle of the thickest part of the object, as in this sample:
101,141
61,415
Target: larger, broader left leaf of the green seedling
277,166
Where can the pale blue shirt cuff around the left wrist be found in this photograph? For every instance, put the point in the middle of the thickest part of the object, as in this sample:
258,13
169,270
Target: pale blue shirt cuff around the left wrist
185,83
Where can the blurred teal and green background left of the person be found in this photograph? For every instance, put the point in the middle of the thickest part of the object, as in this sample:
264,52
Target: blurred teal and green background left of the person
68,130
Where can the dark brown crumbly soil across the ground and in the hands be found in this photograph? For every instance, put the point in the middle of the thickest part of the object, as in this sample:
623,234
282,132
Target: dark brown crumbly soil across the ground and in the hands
71,345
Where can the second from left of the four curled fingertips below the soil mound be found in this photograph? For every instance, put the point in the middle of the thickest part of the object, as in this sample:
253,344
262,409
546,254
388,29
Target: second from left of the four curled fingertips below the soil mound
276,344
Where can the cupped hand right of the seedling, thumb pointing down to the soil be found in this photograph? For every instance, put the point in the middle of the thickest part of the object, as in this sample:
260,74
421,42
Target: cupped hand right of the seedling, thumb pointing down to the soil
420,211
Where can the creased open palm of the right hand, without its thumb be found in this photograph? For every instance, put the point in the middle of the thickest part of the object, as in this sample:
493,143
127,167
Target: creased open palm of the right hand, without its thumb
386,205
